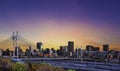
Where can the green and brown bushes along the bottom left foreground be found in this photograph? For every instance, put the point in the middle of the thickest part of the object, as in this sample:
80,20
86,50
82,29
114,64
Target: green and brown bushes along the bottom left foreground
7,65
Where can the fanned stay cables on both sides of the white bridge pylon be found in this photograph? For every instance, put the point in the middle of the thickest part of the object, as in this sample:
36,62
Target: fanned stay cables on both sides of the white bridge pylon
22,42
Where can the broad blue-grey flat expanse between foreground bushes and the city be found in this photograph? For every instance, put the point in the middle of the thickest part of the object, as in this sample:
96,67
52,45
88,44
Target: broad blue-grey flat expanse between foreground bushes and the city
80,66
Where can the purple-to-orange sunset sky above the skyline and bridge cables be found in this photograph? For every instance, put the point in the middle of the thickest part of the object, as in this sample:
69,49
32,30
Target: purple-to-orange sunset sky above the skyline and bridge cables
55,22
